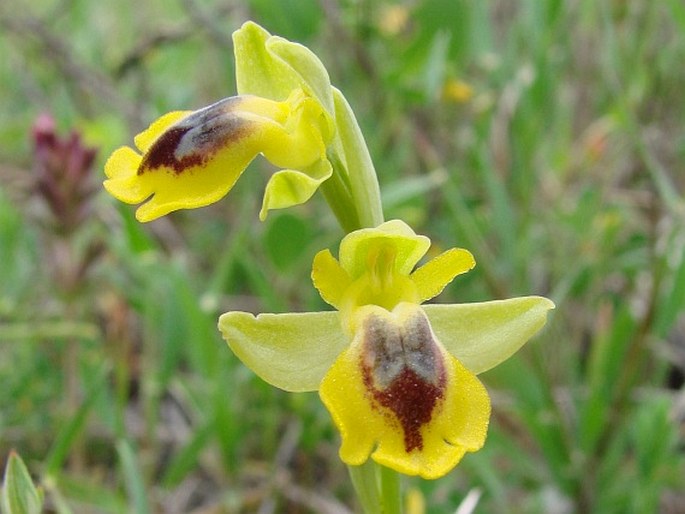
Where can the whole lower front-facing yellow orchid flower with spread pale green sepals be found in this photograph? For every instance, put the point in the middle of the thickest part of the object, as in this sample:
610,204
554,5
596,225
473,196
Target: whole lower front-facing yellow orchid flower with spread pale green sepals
398,378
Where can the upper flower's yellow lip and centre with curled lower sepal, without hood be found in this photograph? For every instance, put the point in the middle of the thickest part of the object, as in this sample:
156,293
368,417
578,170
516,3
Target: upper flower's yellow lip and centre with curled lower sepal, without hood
191,159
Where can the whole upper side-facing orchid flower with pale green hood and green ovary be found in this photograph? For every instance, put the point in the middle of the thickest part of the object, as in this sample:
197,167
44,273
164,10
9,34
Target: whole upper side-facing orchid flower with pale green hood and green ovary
286,110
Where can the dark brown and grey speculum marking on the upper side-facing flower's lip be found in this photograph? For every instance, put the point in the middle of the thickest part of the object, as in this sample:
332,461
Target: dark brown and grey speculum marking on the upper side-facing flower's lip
196,138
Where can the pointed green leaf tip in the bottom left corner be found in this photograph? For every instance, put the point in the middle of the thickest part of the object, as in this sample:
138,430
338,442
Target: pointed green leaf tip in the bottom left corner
19,494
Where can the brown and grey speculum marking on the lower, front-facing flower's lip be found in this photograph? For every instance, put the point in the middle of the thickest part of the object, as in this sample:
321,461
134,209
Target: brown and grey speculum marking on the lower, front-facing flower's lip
403,371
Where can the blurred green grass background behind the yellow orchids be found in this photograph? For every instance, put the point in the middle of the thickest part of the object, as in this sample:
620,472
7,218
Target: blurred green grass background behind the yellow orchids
546,136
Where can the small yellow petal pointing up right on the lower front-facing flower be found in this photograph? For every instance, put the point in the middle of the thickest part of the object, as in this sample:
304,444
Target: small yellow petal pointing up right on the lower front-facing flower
431,278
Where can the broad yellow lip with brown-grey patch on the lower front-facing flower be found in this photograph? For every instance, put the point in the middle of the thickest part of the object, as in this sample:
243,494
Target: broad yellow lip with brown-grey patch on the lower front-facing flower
396,395
